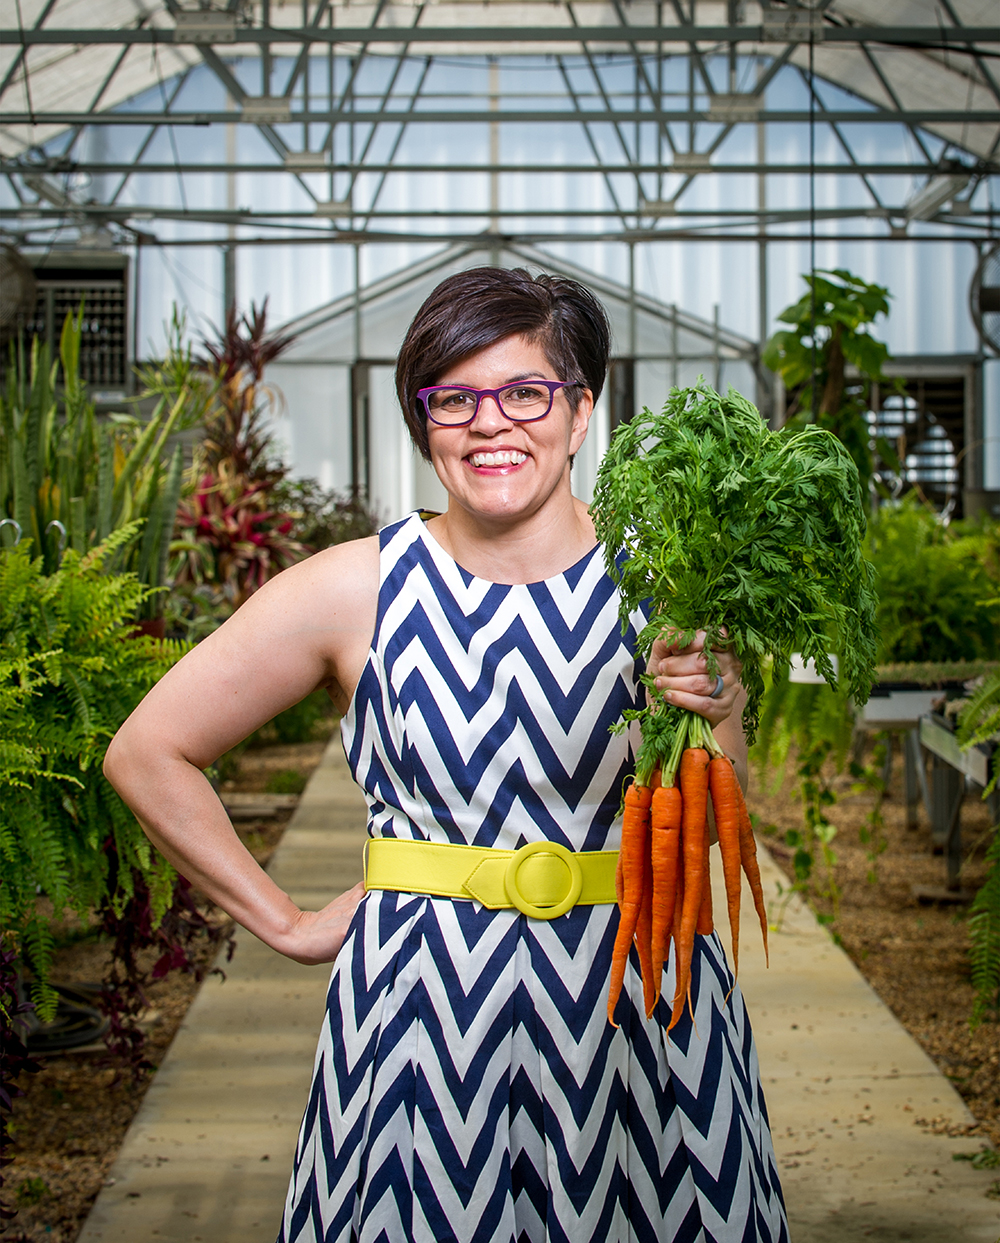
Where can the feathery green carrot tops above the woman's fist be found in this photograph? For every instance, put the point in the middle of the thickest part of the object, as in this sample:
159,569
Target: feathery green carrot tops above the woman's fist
743,533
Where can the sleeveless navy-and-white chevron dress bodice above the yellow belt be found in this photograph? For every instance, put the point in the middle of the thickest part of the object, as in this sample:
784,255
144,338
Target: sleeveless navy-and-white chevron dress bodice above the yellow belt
484,714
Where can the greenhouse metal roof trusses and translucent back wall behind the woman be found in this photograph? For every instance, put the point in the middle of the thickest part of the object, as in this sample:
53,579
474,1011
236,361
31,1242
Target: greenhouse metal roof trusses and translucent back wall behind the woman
693,161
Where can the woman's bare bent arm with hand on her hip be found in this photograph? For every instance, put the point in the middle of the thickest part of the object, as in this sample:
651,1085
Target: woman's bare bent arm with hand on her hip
310,627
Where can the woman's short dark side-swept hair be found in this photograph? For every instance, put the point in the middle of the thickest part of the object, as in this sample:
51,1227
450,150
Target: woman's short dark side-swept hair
475,309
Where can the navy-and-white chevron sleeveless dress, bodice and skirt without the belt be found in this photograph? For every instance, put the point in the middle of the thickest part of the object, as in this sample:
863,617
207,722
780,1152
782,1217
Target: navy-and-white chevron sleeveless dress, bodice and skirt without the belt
468,1086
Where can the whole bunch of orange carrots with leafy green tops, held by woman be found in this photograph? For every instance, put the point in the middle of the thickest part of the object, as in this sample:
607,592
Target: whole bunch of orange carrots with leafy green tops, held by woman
711,521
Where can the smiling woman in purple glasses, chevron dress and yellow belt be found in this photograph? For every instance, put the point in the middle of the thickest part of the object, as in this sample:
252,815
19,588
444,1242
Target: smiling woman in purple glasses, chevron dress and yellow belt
468,1083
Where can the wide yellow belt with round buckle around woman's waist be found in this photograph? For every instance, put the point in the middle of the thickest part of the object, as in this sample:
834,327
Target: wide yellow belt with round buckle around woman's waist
542,879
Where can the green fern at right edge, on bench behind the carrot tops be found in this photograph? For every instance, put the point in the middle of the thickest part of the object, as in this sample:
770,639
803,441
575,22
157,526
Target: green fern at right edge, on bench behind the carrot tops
937,591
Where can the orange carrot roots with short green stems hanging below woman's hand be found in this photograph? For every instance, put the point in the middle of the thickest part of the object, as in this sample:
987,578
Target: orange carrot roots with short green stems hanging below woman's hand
663,883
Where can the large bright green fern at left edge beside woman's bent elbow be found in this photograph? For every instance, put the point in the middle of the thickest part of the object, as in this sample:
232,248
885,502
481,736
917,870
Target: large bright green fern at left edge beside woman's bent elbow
70,674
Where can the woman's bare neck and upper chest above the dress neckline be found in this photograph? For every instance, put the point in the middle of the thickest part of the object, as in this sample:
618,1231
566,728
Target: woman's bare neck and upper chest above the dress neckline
522,553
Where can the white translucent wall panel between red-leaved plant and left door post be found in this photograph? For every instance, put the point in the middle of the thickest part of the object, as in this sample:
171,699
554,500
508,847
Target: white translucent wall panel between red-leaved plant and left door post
314,424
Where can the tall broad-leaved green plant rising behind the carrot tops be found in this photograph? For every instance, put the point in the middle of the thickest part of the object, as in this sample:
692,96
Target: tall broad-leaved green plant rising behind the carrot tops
830,331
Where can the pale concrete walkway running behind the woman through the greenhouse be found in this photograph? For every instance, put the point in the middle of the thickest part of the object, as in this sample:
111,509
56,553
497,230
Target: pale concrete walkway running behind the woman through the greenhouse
207,1159
